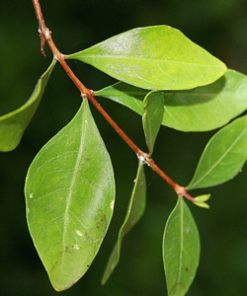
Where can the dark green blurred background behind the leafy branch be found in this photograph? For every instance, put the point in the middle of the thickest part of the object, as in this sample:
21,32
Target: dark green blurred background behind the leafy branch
220,27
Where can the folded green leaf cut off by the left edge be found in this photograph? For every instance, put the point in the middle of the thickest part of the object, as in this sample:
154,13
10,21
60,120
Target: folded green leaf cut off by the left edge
13,124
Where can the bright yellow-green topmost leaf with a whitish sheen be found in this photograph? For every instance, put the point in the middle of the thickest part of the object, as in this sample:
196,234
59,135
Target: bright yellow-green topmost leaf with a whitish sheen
155,58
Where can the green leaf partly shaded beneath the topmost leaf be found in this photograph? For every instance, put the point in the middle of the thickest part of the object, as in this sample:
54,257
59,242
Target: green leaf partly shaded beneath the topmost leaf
201,109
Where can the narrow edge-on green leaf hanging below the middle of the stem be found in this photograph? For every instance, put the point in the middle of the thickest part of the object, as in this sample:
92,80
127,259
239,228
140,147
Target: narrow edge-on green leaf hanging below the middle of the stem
135,210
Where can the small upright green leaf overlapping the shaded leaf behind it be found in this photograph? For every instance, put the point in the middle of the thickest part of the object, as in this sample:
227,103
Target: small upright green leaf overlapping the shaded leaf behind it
153,105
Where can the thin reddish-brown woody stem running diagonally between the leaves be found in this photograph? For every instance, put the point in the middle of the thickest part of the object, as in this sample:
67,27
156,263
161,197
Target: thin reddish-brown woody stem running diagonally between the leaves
45,36
